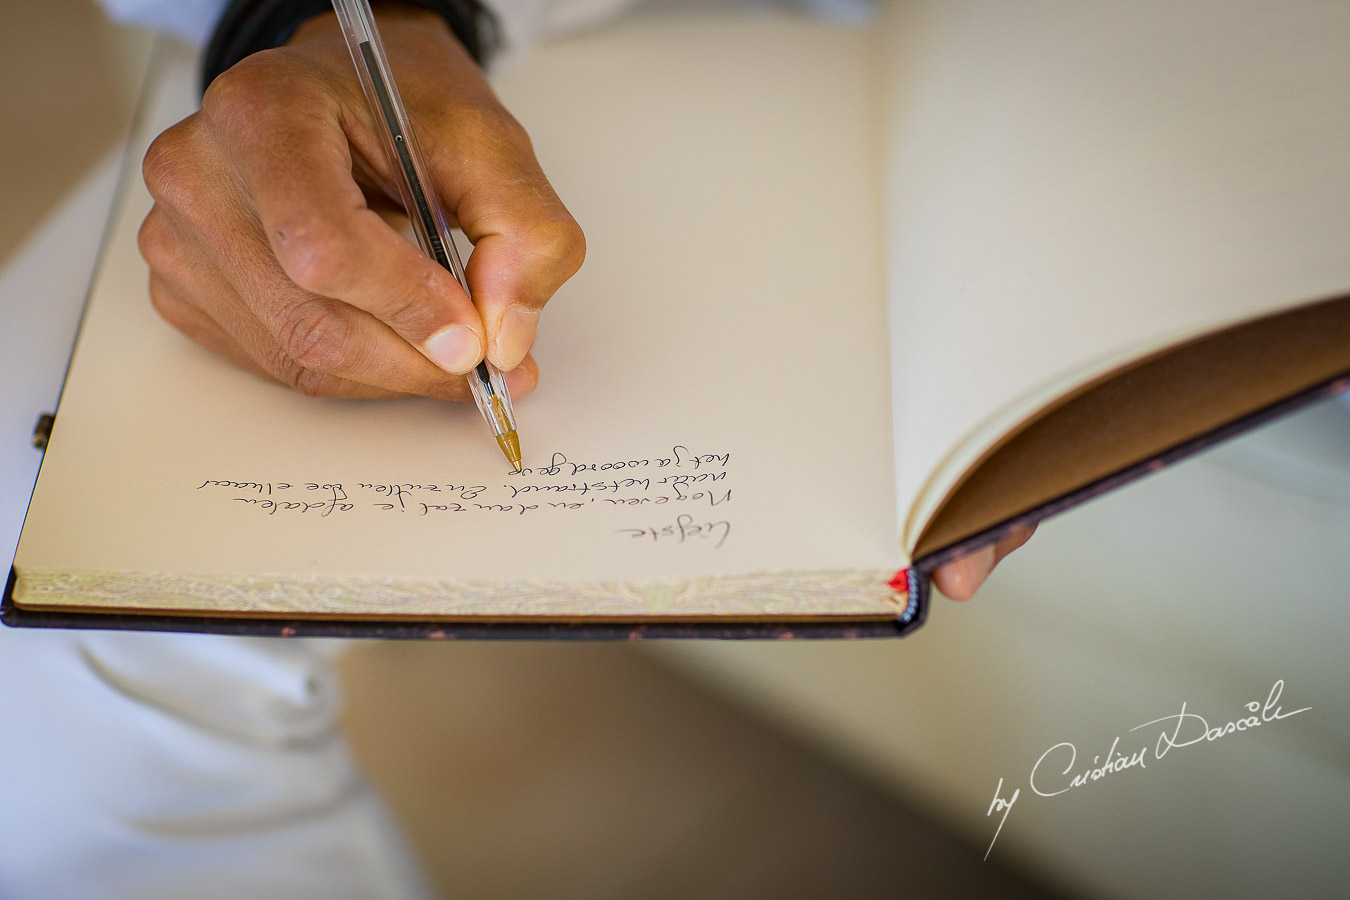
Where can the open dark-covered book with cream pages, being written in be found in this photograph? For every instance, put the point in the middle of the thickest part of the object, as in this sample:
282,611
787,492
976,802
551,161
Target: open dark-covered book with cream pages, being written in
858,300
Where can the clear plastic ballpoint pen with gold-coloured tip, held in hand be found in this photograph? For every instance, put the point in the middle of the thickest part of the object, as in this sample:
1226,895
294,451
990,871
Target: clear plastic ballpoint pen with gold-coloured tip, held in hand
429,221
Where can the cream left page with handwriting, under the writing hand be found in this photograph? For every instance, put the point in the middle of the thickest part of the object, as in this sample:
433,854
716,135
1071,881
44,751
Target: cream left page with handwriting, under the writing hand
711,434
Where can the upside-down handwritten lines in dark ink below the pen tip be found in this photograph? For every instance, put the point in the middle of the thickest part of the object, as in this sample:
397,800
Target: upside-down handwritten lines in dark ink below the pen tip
678,497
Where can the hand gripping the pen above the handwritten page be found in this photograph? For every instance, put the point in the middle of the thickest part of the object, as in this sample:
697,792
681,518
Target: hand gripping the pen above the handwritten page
267,244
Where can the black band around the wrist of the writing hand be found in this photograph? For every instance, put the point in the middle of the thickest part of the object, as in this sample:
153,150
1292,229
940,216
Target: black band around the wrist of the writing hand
249,26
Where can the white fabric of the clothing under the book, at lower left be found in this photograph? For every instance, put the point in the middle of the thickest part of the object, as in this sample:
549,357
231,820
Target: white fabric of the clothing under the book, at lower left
160,766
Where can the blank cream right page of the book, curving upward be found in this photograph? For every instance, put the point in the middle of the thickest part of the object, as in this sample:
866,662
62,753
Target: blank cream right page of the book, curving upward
1075,186
